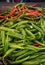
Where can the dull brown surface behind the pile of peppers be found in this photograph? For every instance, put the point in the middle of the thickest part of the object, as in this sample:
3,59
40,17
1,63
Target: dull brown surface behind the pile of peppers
4,6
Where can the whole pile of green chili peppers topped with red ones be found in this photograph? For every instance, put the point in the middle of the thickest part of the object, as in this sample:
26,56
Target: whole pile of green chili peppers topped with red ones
22,35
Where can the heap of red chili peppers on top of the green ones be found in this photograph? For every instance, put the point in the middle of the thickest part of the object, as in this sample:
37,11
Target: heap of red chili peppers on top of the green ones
18,11
